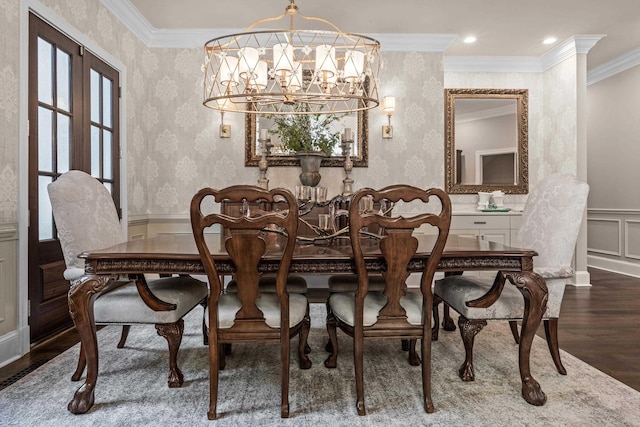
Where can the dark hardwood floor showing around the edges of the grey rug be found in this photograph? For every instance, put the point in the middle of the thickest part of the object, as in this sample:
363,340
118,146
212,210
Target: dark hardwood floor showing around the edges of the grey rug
599,325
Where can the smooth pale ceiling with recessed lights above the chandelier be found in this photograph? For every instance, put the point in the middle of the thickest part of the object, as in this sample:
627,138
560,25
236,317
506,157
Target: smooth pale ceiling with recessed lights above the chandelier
503,27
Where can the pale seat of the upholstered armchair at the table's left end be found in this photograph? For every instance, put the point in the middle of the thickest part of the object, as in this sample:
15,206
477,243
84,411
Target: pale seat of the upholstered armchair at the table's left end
123,305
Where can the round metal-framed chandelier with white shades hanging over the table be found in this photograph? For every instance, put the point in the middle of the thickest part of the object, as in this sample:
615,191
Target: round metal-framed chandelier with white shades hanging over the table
291,71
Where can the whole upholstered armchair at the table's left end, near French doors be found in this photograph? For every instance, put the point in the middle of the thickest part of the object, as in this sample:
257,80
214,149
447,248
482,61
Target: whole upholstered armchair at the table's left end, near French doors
86,218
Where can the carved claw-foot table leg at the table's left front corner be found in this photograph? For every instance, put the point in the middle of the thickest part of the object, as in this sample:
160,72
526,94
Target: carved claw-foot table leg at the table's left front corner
81,296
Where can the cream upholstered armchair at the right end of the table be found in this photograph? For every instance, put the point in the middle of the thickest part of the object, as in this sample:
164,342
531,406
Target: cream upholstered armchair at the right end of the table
550,225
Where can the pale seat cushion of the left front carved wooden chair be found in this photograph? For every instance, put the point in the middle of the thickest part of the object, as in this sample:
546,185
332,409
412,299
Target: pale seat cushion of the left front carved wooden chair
268,303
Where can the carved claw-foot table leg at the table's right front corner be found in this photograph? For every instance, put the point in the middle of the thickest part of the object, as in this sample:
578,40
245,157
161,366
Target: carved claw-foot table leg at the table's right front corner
534,291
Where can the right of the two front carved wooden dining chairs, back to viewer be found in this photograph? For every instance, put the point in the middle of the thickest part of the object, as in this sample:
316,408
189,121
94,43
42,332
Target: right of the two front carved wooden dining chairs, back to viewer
395,312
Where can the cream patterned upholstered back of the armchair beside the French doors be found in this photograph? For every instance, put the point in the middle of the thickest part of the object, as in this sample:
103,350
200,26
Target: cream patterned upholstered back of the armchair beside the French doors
85,217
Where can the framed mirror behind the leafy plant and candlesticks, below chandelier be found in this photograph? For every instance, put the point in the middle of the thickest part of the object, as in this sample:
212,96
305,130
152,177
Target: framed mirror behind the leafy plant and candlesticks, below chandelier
357,122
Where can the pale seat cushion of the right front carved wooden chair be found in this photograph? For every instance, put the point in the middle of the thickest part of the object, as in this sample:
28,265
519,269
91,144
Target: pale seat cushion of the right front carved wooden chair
342,305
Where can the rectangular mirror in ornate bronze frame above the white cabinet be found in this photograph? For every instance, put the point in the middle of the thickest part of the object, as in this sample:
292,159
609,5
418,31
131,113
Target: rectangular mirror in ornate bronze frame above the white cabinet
486,134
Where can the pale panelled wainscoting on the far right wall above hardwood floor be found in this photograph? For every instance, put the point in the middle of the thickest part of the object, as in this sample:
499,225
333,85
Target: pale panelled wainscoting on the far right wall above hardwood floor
613,240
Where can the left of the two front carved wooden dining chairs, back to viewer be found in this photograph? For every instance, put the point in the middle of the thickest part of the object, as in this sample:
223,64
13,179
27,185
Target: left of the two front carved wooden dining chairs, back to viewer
249,315
